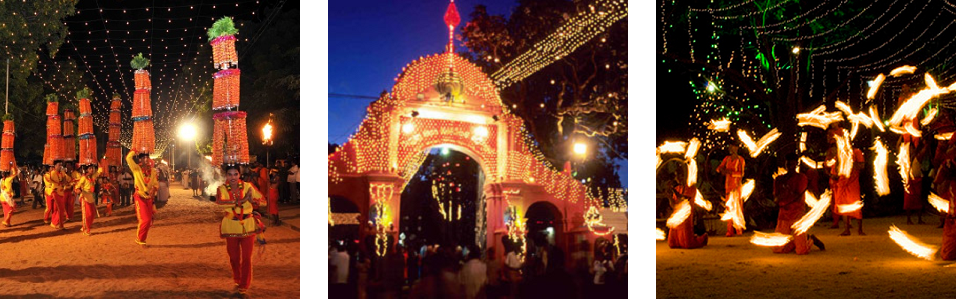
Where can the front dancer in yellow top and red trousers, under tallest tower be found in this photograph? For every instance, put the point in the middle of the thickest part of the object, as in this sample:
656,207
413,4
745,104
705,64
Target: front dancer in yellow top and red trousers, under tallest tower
240,225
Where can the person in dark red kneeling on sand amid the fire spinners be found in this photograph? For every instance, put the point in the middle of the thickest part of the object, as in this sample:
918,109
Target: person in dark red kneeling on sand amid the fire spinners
789,189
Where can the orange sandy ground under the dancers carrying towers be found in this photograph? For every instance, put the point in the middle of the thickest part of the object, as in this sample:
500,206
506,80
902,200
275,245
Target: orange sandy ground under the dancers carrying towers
185,257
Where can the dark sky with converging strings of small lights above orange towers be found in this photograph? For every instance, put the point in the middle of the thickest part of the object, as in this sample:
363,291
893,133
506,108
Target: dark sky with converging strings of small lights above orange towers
103,37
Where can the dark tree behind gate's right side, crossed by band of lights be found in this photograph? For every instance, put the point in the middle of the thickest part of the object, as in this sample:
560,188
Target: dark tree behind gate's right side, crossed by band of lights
582,96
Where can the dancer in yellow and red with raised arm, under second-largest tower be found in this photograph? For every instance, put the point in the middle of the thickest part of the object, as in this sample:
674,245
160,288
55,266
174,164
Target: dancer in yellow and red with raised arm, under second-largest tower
146,186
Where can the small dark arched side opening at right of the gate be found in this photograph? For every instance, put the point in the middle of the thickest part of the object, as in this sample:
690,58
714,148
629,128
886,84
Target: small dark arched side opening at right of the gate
544,225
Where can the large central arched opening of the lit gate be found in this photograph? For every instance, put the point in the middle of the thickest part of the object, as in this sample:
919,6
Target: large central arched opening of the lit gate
442,203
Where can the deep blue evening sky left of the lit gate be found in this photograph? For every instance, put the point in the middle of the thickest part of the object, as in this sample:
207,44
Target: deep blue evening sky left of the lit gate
370,42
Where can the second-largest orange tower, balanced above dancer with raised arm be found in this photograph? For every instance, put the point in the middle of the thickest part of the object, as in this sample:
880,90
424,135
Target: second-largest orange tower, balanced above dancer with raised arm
144,139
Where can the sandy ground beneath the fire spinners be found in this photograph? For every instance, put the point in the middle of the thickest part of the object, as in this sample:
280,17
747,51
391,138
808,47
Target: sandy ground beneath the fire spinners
870,266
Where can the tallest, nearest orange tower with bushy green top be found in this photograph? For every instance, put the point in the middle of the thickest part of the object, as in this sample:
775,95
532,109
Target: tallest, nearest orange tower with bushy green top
230,144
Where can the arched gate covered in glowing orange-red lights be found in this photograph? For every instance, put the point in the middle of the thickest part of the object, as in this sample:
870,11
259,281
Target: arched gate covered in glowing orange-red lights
444,99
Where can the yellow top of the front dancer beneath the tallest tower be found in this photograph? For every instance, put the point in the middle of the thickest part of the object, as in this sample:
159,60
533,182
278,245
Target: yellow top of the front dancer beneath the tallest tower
238,221
